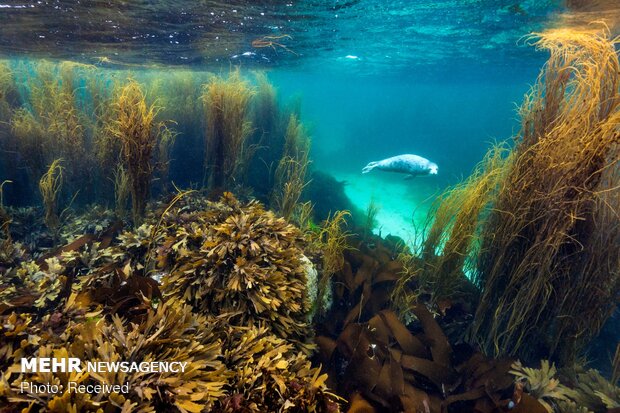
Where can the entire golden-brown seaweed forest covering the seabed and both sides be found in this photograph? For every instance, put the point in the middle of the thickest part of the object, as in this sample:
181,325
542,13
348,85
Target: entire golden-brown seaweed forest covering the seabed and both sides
177,215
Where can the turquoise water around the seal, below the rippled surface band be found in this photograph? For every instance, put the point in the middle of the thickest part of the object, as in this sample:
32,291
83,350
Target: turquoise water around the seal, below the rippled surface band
450,118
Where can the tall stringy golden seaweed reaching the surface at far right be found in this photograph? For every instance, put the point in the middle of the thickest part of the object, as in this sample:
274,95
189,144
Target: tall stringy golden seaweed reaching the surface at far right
548,266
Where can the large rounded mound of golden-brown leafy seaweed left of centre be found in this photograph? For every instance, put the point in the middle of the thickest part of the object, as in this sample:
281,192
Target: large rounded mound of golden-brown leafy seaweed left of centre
240,259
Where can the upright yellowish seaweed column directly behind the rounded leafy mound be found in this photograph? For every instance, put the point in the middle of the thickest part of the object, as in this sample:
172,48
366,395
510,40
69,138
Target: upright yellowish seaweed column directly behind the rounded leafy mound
228,128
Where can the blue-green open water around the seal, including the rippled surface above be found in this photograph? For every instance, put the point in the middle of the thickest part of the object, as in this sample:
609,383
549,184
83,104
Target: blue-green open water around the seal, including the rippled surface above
438,79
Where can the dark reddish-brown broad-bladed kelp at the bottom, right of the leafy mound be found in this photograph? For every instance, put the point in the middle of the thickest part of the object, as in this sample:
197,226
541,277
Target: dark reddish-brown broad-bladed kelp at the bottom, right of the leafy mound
381,364
